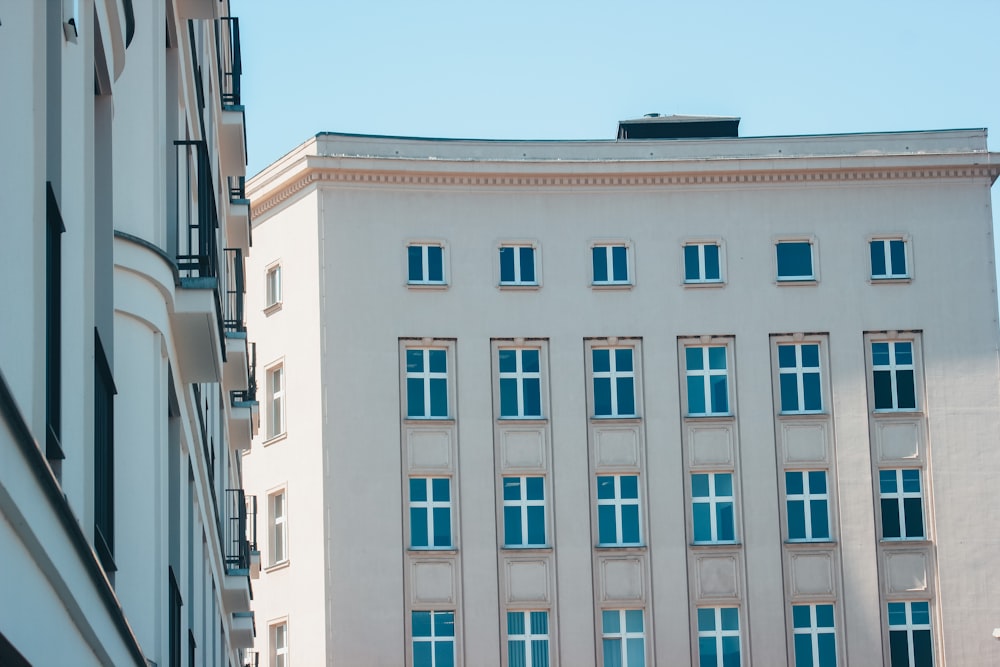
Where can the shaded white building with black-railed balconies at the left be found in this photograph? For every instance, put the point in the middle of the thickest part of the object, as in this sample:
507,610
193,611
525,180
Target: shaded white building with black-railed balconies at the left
126,378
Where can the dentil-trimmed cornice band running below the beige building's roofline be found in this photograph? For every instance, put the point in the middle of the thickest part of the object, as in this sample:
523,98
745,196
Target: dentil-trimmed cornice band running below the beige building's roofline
612,180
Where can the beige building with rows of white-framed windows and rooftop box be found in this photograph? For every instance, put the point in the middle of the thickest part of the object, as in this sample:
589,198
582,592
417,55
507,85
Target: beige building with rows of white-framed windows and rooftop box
676,398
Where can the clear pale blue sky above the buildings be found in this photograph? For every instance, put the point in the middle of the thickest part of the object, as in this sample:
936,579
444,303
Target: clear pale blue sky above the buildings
570,70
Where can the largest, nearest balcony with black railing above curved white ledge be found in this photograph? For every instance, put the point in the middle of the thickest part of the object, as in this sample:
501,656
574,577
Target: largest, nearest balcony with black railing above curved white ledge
198,316
